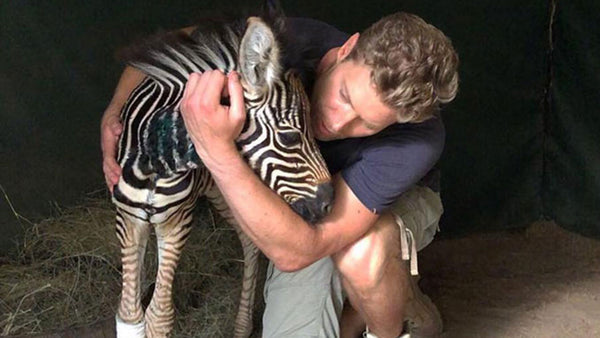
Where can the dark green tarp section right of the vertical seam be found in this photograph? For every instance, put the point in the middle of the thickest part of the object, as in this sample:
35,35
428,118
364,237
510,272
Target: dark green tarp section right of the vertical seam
572,175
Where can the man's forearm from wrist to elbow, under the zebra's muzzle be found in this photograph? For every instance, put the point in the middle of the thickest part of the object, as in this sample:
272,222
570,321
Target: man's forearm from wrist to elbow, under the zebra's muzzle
281,234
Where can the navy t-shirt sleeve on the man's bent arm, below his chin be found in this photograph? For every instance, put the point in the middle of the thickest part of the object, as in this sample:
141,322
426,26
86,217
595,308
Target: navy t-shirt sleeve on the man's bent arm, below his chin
389,165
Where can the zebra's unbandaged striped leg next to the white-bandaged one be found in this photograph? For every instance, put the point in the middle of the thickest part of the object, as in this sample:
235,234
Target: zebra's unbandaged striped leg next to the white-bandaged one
160,314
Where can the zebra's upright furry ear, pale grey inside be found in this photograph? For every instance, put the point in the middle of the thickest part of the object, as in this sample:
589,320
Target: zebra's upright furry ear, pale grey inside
259,56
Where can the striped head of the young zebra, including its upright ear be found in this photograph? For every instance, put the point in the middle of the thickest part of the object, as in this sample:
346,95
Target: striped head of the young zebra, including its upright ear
277,140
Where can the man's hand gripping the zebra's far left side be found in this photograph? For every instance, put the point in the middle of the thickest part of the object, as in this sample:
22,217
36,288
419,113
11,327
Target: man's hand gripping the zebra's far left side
110,130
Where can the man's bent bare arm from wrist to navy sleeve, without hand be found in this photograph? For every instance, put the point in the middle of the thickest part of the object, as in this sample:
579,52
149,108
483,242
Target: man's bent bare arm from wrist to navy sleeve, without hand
284,237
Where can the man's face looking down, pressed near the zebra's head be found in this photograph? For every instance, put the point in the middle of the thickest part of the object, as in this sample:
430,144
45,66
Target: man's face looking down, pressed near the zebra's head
345,103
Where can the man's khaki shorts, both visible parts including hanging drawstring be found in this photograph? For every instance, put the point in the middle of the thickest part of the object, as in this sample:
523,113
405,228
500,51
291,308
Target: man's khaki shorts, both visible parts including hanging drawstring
308,302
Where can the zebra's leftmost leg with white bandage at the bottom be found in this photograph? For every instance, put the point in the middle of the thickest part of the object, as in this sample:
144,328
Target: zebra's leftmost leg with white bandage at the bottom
133,237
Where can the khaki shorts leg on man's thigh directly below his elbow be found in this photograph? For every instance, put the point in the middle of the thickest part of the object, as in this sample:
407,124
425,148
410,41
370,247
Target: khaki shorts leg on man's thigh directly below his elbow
305,303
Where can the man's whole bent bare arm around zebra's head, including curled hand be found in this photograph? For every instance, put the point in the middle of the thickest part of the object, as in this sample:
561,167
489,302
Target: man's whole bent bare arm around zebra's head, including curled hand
273,226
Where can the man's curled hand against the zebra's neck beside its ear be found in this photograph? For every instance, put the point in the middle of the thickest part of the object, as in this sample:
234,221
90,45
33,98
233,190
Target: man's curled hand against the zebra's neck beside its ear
213,127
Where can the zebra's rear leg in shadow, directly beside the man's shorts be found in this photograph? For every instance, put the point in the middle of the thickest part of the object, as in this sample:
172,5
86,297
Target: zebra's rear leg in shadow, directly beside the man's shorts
243,319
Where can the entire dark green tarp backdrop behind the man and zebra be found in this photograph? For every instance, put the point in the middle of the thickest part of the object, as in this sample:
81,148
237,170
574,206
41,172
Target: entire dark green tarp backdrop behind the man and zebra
522,144
